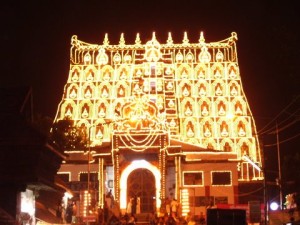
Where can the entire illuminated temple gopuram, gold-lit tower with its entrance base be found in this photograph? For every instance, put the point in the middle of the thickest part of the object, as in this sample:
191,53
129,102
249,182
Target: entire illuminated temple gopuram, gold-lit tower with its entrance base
164,120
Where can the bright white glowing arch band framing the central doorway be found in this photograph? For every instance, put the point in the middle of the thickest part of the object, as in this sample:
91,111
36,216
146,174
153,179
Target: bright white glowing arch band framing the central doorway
138,164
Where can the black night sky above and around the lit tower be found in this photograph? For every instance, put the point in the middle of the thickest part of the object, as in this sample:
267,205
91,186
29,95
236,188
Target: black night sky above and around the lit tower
36,35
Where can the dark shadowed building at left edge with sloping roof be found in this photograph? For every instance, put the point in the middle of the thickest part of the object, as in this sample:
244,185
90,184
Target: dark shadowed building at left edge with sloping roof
28,163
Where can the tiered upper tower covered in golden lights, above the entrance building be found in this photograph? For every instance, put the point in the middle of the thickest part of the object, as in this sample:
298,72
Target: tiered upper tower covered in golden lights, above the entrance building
193,92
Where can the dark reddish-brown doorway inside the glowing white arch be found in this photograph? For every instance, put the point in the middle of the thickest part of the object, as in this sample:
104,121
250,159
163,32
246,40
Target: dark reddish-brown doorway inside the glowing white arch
141,183
